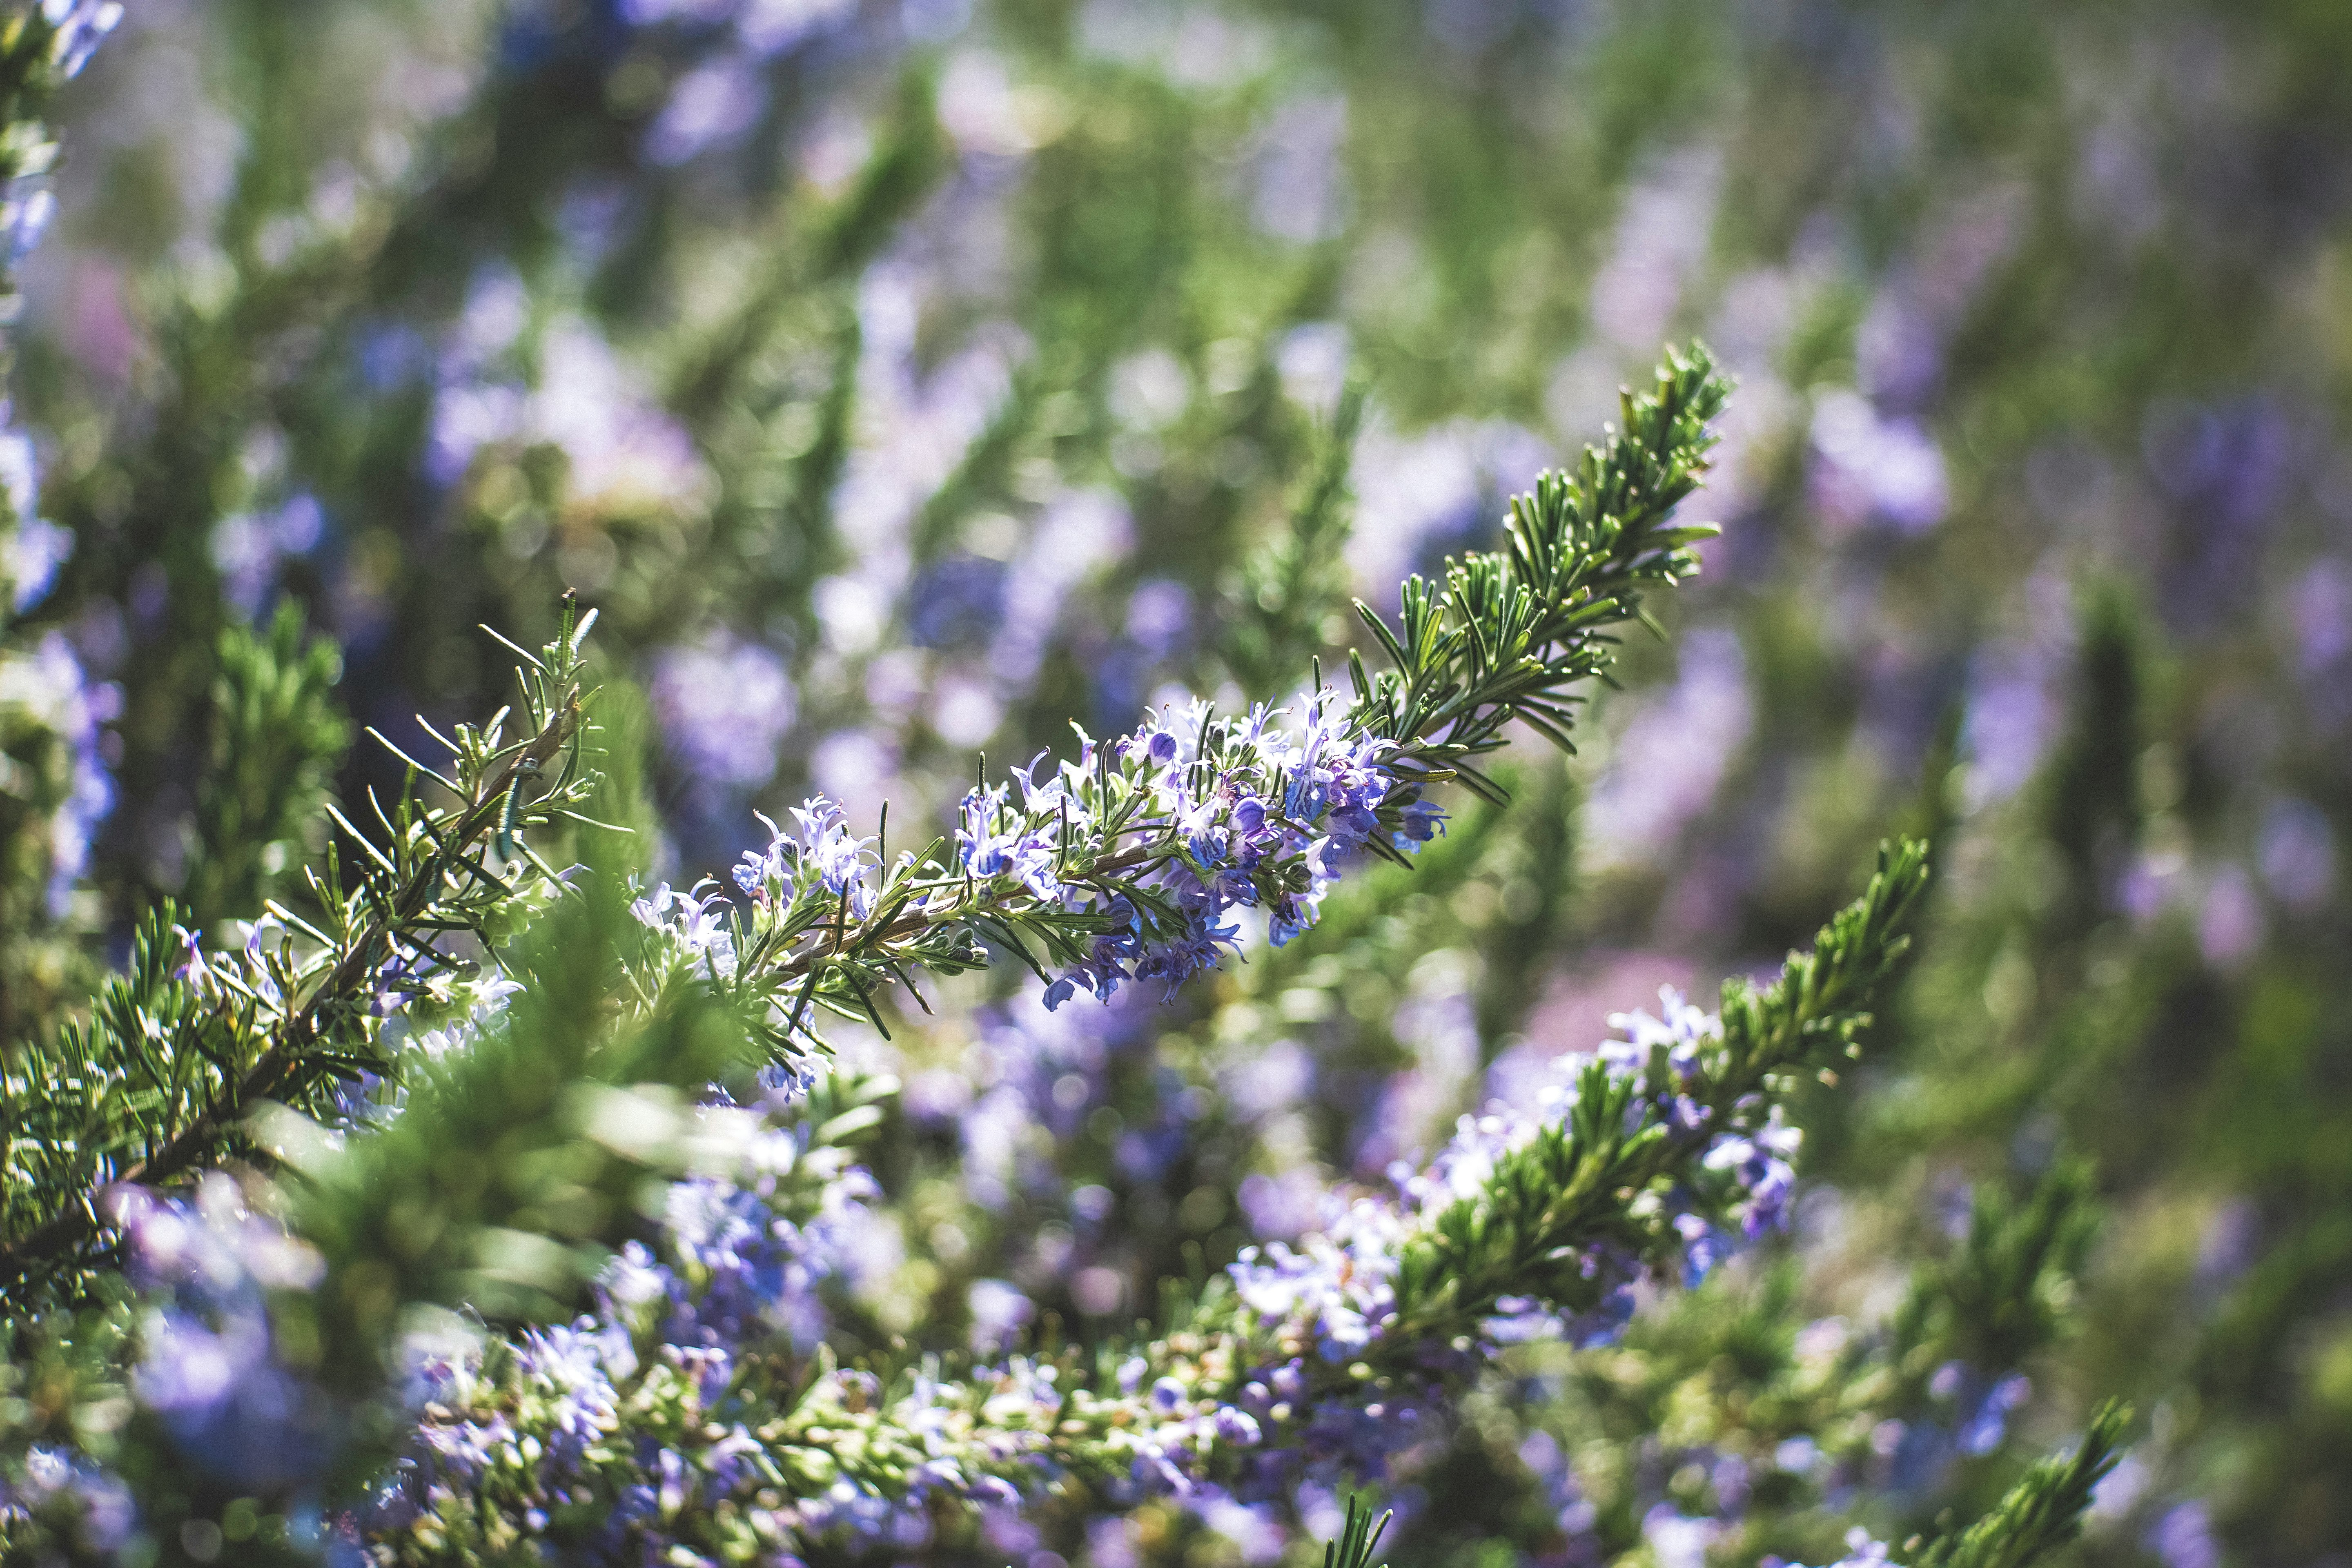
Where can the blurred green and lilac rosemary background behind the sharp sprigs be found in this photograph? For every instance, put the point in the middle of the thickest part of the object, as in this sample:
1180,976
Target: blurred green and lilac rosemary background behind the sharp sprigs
907,380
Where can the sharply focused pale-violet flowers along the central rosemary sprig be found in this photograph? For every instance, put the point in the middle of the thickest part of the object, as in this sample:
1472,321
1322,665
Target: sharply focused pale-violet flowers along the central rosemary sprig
1128,859
